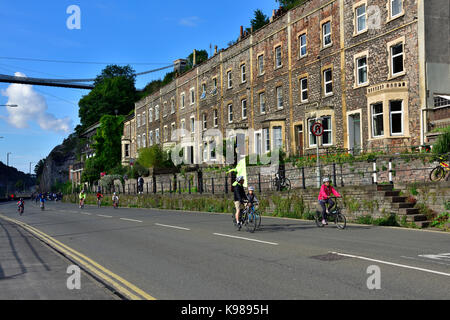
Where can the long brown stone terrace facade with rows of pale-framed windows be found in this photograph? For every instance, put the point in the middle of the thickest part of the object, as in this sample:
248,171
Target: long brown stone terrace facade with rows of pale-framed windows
354,65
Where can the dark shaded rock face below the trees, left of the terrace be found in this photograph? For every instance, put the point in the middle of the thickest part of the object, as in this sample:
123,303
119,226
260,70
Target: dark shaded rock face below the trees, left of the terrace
56,168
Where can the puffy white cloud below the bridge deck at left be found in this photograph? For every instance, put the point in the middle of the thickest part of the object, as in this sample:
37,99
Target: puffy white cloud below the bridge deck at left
32,107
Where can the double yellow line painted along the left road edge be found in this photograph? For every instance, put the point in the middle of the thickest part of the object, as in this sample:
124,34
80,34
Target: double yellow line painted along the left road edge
122,286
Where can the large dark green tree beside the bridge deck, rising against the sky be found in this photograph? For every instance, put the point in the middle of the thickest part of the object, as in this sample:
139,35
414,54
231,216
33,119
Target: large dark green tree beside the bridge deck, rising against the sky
114,90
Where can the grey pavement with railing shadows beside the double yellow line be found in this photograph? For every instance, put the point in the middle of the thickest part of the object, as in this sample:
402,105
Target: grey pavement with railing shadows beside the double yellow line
29,270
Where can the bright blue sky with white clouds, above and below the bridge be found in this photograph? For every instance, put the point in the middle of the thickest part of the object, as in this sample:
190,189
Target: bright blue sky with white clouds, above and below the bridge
137,32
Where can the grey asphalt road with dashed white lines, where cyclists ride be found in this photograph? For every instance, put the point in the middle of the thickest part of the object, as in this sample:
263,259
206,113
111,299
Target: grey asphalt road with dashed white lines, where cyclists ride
187,255
